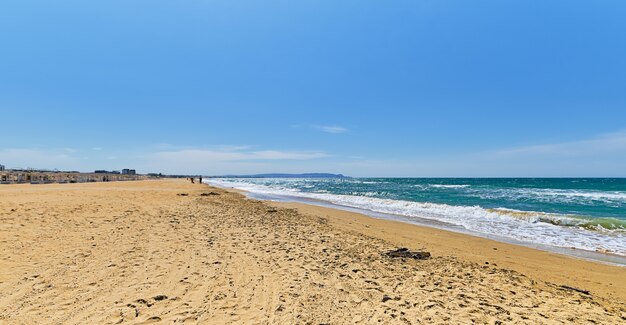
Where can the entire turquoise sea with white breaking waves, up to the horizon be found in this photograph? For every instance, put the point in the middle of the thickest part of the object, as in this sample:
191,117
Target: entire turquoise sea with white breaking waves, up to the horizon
582,213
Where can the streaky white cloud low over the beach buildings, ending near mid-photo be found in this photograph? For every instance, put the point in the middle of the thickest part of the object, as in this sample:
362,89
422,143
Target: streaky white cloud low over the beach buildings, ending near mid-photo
219,159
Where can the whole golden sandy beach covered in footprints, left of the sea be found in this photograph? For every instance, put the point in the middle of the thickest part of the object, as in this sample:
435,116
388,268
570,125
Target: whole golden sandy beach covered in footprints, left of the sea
173,252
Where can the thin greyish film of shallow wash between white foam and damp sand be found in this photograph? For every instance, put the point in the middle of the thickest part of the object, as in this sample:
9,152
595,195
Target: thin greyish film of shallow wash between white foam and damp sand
588,255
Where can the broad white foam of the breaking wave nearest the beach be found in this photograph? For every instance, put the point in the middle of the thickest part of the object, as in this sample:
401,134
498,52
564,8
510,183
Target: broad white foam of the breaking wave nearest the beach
524,226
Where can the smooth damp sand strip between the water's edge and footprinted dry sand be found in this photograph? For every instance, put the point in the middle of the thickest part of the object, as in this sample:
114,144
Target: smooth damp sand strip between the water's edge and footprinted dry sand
543,264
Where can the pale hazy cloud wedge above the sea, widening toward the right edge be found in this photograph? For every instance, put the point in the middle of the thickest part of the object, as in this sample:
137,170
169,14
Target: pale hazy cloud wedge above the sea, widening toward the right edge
600,156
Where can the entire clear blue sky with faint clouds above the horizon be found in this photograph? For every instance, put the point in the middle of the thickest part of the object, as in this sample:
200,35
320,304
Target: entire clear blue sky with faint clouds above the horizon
364,88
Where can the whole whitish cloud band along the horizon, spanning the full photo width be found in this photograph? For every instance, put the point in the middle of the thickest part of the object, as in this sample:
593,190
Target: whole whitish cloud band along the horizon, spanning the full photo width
600,156
